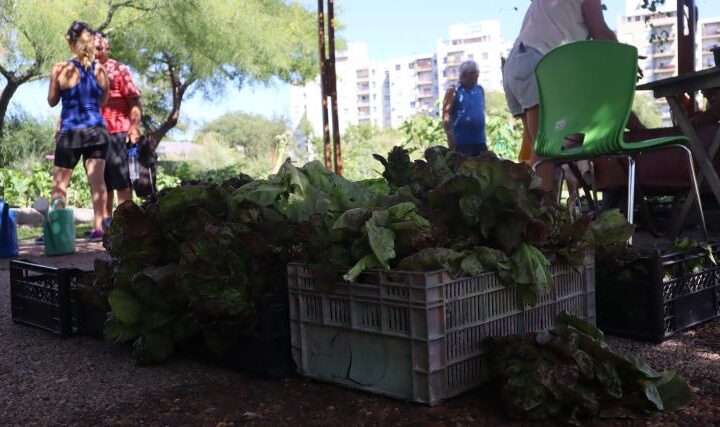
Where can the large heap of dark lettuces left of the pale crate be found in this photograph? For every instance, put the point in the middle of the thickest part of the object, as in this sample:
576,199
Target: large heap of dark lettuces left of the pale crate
199,258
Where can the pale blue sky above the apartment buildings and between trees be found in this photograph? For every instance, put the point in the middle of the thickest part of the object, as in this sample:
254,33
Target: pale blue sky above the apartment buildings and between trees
389,27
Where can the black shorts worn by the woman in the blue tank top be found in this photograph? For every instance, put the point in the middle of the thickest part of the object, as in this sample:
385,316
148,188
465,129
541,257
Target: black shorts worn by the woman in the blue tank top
88,143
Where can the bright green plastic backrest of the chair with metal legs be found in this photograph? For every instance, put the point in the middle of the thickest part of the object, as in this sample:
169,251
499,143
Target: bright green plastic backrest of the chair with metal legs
585,88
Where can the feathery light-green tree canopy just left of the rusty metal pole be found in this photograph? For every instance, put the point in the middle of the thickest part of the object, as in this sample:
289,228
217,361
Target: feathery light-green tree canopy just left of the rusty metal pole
185,49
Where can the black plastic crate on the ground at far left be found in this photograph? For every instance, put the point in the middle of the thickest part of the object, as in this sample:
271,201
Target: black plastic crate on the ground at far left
44,296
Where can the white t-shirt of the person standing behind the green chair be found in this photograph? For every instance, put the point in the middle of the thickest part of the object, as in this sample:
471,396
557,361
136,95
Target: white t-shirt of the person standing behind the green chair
550,23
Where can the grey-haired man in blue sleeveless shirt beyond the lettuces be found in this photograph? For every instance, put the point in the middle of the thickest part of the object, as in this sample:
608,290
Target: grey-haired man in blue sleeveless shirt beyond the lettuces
464,113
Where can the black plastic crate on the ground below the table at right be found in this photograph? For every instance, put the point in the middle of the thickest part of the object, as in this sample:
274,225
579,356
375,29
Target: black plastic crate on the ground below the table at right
673,298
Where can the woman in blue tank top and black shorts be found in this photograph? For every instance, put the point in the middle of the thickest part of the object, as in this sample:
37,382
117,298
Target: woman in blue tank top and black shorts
82,85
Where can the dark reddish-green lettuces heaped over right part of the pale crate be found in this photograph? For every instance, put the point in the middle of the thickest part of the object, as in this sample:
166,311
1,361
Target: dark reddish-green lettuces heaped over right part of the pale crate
493,214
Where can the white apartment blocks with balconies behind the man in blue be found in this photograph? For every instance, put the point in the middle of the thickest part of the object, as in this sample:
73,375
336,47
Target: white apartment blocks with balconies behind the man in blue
385,94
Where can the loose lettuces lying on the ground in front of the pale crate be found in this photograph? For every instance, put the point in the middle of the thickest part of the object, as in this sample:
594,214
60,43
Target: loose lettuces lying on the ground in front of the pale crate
569,374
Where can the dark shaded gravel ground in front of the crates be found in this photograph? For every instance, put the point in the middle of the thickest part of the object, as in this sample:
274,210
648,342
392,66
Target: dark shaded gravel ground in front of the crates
45,380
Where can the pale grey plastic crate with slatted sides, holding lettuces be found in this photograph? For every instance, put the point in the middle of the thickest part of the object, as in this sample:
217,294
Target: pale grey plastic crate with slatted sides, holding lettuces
417,336
